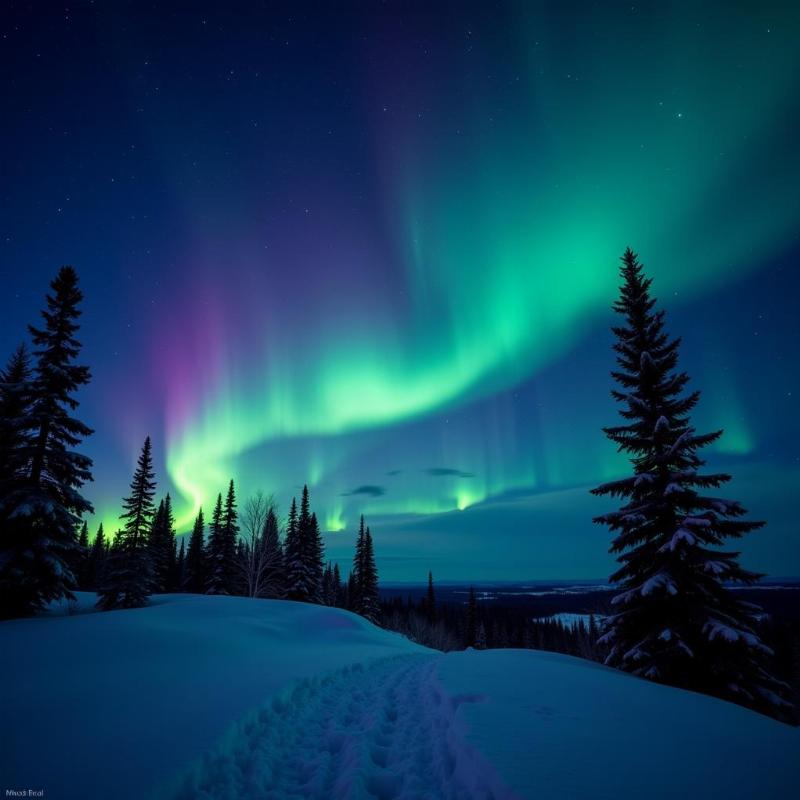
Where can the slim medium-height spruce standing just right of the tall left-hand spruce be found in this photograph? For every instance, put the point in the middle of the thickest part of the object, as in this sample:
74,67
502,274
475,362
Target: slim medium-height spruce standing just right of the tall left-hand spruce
128,578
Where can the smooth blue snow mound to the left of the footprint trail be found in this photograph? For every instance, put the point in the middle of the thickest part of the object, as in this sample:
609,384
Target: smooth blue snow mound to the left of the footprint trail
135,693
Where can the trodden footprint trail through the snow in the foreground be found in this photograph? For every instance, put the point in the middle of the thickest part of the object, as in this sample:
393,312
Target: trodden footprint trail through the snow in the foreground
384,730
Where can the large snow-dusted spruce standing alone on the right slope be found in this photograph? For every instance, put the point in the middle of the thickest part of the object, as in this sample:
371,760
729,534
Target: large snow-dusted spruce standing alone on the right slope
674,620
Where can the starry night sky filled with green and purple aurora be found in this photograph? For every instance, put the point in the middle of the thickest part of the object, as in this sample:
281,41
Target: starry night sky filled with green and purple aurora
373,246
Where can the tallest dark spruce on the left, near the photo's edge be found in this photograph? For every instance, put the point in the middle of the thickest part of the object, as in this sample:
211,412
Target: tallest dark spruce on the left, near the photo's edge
42,507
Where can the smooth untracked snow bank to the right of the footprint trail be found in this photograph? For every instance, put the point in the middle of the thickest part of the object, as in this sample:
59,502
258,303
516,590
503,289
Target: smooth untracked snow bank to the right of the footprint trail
554,726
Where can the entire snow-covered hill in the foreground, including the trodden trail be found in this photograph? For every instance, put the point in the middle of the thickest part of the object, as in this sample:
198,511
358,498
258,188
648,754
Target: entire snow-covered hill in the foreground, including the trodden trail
201,697
